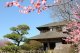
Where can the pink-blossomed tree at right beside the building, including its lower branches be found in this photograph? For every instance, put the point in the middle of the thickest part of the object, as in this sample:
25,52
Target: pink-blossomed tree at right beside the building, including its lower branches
73,29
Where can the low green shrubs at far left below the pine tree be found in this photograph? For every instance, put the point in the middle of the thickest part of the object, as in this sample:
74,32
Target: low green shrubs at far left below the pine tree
10,47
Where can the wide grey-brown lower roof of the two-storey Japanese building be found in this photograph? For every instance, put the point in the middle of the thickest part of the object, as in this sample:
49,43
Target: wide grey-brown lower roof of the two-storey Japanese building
50,34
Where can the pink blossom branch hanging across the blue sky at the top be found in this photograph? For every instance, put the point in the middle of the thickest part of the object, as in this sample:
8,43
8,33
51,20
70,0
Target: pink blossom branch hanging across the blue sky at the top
39,5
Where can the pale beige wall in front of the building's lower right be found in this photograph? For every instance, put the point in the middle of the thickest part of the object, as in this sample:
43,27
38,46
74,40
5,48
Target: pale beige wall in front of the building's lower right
63,48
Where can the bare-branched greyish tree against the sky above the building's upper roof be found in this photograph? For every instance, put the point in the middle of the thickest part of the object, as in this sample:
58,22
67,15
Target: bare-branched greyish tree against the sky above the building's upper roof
66,9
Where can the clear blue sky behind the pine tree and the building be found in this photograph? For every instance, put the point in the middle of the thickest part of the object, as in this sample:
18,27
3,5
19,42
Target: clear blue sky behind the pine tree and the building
10,17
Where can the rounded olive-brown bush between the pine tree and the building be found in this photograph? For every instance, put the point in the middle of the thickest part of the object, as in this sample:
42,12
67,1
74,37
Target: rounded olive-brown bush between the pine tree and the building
31,45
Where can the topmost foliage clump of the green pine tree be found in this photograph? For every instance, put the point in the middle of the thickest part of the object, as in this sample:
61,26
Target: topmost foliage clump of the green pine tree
20,29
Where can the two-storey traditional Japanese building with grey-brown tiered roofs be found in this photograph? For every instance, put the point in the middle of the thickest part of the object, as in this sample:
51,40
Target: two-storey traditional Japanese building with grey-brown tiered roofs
52,34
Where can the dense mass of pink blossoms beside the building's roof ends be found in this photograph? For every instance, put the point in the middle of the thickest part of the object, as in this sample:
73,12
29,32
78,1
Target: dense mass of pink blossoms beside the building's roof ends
74,35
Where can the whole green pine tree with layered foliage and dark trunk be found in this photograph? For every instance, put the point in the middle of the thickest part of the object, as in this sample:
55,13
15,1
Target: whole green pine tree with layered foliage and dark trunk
18,33
